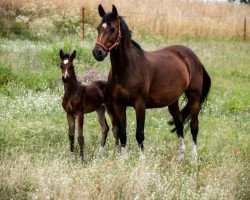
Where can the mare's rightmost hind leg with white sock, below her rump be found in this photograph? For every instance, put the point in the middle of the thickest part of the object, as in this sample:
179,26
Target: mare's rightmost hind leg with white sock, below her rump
194,104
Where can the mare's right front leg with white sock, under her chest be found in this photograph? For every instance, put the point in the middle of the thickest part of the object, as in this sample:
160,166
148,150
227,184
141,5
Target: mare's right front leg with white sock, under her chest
140,122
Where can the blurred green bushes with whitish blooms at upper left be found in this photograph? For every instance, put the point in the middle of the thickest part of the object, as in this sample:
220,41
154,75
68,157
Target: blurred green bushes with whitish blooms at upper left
39,23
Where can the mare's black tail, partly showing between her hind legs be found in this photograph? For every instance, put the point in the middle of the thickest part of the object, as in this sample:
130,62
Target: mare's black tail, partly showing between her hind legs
185,112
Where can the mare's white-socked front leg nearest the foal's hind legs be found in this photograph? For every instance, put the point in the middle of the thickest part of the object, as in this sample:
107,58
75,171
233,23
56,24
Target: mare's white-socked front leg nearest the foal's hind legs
120,116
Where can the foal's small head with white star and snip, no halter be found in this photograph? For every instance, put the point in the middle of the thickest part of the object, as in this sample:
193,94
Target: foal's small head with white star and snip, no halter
67,66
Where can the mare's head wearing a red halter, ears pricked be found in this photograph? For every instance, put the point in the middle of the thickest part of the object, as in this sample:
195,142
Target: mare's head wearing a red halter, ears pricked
109,33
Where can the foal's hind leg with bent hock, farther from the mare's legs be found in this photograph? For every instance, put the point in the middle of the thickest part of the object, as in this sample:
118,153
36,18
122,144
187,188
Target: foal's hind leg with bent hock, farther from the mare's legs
104,125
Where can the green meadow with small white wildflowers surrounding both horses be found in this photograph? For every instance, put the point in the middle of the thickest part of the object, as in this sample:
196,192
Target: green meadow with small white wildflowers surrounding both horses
35,162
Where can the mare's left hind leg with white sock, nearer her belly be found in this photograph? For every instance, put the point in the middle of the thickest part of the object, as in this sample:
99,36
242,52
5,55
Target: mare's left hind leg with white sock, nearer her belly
176,114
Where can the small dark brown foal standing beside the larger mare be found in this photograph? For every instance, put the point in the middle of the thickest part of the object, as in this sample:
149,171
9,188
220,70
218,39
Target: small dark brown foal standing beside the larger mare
80,99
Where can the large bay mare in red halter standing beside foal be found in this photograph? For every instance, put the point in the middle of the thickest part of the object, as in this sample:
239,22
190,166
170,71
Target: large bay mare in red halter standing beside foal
155,79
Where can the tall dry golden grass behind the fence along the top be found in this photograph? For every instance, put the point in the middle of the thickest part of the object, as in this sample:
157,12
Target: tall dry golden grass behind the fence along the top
170,18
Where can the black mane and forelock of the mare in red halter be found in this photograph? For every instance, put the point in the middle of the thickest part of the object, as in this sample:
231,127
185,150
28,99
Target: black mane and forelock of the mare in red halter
125,32
